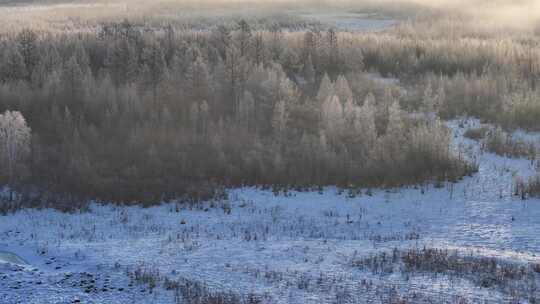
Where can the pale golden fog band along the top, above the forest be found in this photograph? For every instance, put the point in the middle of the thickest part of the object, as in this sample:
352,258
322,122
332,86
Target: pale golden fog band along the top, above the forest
523,14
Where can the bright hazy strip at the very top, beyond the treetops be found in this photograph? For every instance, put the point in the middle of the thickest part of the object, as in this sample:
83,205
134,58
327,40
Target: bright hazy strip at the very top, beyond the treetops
489,13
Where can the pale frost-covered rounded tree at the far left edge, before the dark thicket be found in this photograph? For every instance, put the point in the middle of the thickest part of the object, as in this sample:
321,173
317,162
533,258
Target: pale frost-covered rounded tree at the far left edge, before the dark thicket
14,145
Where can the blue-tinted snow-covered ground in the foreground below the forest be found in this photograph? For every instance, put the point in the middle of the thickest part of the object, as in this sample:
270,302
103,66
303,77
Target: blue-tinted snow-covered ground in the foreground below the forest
293,248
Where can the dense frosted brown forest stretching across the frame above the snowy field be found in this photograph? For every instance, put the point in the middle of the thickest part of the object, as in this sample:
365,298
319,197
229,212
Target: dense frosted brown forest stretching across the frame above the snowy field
128,112
